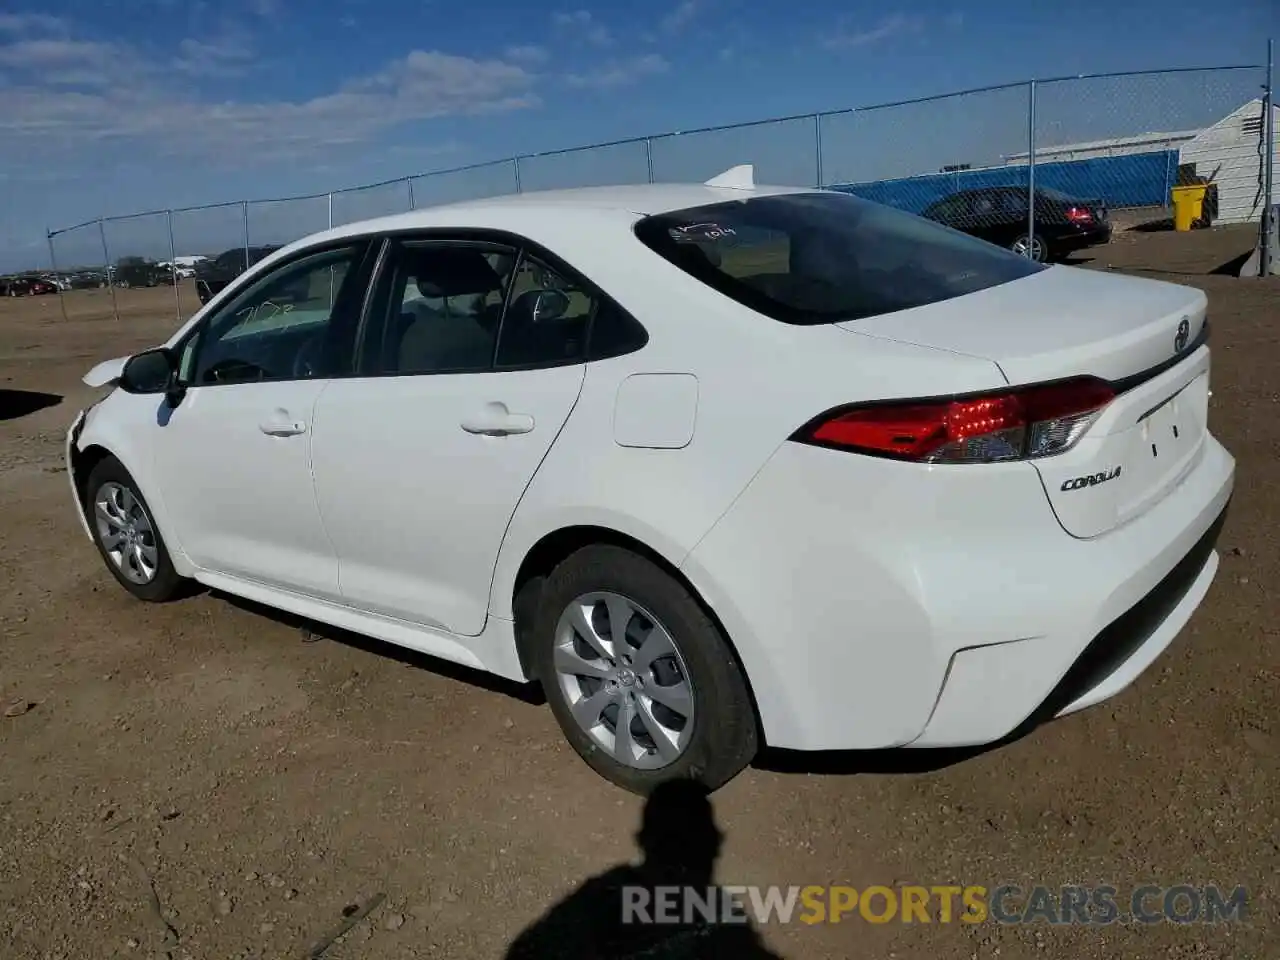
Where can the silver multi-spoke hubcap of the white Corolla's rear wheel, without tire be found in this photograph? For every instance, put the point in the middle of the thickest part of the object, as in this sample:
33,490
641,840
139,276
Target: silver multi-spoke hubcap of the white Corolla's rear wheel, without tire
624,680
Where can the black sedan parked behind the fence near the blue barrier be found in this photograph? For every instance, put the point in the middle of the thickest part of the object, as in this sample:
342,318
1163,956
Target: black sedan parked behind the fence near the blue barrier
999,214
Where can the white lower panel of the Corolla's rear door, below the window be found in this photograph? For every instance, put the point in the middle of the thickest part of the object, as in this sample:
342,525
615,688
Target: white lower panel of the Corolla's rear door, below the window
423,483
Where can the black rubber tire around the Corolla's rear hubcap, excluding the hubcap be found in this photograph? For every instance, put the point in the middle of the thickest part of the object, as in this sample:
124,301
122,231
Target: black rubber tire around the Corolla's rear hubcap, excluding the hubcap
724,739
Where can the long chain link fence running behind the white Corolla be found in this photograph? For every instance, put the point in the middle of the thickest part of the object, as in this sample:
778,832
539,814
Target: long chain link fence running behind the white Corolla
1084,148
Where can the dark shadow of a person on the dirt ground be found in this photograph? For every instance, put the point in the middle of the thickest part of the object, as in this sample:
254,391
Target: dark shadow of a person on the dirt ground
665,908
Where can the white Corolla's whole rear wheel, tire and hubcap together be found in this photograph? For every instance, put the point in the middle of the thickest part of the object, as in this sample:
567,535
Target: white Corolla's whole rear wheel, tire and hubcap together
641,679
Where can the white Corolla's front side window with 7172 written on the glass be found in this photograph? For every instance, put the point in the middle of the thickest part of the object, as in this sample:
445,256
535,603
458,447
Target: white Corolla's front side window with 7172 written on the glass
285,327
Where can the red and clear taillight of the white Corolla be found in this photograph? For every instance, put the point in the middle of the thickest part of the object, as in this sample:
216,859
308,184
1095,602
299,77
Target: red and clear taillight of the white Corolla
1021,424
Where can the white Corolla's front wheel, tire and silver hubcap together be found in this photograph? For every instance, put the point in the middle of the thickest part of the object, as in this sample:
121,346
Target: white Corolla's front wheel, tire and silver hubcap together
126,534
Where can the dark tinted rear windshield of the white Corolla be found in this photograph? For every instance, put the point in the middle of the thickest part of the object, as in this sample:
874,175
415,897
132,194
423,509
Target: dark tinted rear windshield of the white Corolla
825,258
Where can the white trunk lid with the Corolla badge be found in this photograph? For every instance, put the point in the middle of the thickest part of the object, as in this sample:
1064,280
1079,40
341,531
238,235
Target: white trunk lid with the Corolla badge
1142,336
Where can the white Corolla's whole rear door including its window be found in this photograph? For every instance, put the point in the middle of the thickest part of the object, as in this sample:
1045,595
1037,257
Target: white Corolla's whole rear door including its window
473,359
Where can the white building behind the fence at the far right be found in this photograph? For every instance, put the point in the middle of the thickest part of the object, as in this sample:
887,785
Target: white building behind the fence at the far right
1231,154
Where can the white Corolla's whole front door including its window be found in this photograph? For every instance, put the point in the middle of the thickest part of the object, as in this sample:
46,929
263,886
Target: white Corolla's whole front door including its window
234,458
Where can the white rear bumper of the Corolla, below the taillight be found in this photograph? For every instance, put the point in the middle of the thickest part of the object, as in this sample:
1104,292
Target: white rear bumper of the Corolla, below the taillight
886,605
